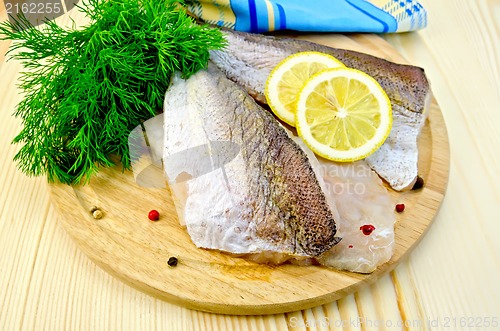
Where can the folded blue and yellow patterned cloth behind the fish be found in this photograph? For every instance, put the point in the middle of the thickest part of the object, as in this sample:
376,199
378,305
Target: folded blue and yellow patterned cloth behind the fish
377,16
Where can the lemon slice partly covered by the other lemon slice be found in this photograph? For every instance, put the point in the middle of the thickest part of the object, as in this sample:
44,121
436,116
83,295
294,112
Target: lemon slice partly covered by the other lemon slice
288,77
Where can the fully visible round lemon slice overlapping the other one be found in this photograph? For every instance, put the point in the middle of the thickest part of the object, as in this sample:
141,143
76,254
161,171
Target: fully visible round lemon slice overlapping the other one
343,114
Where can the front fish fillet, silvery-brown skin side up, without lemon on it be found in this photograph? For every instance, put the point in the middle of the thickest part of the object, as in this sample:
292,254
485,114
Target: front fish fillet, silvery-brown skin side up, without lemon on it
267,198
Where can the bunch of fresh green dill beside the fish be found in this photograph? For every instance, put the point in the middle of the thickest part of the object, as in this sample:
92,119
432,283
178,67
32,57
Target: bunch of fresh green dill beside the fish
86,89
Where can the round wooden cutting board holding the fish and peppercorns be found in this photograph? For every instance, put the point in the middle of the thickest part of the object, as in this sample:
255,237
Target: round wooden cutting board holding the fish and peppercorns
129,246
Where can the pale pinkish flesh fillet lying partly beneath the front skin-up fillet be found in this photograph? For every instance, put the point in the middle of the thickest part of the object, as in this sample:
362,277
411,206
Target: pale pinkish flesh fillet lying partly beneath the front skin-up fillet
360,200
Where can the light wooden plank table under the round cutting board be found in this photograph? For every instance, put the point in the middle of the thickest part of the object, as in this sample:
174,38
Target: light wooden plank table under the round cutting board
451,280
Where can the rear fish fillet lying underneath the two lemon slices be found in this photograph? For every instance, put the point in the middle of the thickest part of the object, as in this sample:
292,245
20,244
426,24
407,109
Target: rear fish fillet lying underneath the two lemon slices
249,58
